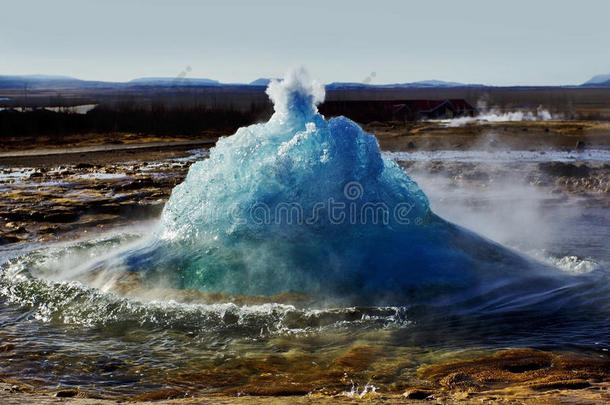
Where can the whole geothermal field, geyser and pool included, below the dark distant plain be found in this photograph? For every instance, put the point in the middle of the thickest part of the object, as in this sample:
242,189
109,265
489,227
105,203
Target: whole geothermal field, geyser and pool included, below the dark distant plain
310,257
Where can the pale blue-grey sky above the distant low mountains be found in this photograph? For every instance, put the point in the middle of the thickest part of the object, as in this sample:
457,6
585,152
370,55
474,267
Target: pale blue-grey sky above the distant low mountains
490,42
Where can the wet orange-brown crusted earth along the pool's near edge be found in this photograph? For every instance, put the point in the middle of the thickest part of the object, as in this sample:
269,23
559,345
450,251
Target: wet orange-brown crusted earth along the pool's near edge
520,376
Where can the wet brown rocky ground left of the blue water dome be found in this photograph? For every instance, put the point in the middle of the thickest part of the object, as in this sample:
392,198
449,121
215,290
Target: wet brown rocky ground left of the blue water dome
48,201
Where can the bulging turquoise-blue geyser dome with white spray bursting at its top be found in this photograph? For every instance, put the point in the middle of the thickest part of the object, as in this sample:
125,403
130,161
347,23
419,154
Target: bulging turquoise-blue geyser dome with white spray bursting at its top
305,204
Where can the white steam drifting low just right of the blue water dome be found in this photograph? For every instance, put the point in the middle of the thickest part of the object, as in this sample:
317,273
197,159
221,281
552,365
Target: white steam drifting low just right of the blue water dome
505,208
